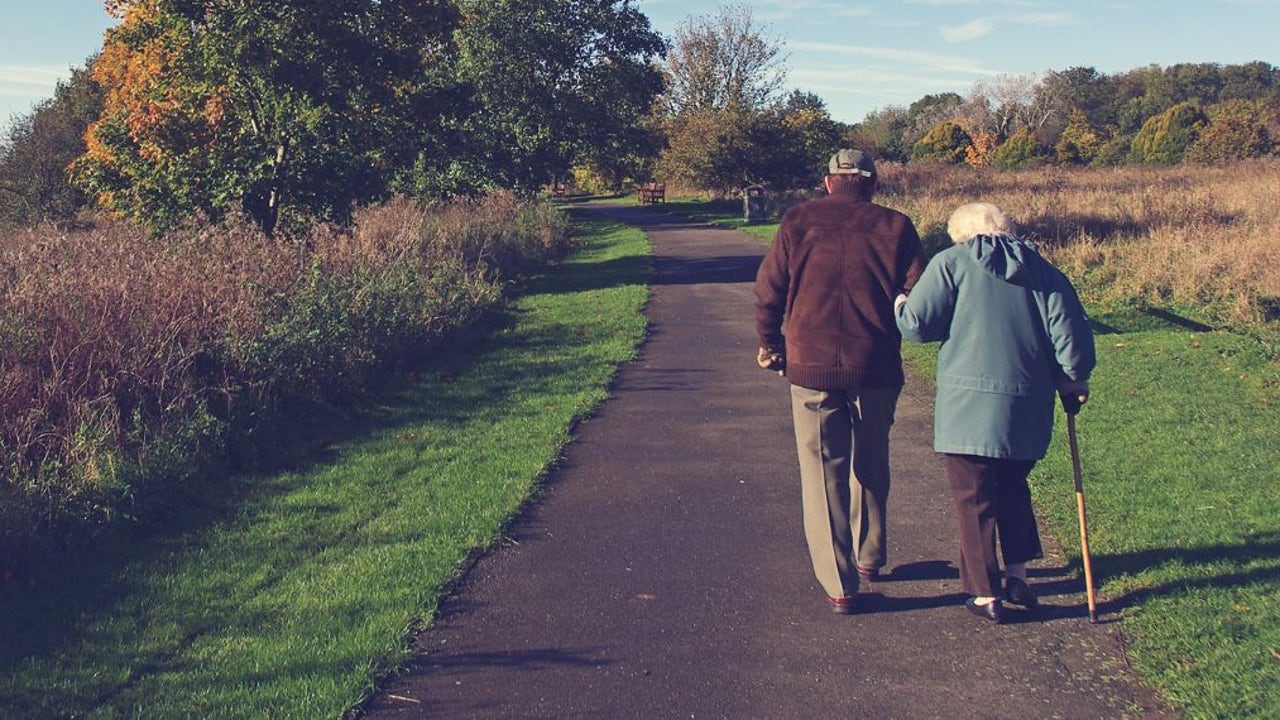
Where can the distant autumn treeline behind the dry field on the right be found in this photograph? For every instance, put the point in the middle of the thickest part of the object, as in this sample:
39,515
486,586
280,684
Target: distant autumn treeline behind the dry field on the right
1195,113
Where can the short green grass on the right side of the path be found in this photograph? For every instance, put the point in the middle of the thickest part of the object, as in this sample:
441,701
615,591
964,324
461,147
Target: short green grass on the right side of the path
1181,448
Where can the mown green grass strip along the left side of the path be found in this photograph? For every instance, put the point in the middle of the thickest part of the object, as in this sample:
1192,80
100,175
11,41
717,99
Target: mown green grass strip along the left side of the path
287,595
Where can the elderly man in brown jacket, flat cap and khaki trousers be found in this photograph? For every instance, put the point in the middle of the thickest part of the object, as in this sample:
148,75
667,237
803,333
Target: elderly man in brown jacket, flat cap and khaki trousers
831,274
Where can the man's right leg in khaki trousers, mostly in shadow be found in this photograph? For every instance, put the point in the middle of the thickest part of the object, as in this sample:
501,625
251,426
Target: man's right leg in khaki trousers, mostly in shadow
872,420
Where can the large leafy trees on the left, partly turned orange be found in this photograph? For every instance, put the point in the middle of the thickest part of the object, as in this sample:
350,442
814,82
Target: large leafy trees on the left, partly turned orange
295,112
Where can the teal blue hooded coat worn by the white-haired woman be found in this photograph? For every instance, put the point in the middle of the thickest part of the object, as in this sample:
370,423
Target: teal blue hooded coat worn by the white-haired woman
1012,330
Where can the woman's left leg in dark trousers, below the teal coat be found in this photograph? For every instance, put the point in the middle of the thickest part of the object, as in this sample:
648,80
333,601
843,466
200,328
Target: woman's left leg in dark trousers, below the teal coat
973,493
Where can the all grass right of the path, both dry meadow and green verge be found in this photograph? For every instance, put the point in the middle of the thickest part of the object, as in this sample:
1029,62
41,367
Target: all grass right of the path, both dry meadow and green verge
1182,439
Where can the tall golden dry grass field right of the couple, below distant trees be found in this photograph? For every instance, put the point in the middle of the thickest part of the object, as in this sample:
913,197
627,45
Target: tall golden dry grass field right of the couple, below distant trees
1205,238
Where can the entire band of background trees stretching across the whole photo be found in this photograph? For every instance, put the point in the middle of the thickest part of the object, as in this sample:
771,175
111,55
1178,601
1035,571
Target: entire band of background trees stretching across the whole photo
295,112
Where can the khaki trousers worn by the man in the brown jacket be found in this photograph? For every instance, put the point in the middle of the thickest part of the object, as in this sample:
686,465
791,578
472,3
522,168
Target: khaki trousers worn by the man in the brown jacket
843,444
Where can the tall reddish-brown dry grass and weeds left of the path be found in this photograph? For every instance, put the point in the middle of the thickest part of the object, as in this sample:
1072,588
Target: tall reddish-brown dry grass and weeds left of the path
125,358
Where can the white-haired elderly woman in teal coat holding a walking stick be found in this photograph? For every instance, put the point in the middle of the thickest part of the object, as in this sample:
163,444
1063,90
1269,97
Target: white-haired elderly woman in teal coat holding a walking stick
1013,332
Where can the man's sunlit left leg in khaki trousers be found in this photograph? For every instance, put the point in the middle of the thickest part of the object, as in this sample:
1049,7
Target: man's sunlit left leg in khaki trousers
822,427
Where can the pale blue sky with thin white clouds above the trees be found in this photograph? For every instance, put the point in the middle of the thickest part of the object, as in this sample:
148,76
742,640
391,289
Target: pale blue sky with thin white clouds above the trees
857,56
